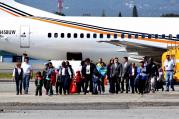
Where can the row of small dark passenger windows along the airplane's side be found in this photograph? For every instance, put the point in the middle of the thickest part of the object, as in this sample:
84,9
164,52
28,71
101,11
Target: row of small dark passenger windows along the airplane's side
123,35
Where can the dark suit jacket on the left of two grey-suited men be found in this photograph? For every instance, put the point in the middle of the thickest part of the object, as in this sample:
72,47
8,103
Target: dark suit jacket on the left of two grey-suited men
116,71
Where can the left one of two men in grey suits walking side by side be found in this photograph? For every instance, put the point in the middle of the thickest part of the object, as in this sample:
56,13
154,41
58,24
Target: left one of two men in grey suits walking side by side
116,75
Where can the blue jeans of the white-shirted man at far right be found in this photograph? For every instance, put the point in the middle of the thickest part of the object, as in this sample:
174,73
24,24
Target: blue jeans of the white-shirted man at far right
169,80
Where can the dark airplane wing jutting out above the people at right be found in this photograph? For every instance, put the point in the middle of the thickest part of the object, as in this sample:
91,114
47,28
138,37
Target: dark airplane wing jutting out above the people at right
141,50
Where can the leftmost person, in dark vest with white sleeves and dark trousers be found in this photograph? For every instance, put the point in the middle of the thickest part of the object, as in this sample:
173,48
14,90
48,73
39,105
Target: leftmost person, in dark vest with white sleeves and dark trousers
18,77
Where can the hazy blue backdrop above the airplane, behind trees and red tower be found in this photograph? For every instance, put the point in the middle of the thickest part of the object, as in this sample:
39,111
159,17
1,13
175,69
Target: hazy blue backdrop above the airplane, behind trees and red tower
146,8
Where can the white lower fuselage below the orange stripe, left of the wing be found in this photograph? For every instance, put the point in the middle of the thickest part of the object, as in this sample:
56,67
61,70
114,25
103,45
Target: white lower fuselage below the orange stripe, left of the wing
26,35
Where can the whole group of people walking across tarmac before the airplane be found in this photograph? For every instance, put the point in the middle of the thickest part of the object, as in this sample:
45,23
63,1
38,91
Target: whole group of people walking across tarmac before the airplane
91,78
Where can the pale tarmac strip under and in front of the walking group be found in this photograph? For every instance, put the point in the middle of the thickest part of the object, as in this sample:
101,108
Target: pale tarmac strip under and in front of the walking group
9,100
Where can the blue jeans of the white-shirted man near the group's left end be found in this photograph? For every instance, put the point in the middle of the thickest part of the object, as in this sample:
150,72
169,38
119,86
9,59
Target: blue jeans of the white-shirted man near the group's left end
26,80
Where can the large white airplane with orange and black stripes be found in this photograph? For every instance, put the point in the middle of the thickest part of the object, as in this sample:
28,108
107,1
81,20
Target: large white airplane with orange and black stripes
44,35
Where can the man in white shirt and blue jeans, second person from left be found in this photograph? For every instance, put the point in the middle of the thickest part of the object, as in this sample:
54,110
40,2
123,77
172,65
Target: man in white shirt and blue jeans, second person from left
27,68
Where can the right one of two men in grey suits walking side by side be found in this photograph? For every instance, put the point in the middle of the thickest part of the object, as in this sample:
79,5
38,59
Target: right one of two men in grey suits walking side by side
125,75
